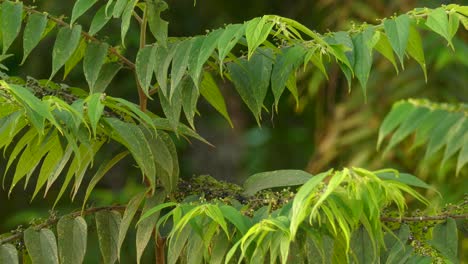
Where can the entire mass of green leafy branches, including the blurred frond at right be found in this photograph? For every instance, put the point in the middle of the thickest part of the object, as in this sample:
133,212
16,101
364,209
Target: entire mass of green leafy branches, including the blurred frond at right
55,131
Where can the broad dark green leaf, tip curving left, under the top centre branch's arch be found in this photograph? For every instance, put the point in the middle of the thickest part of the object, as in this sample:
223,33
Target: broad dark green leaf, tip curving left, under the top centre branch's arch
286,63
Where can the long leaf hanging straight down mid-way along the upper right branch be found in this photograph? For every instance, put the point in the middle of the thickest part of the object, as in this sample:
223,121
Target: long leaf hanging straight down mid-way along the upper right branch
363,57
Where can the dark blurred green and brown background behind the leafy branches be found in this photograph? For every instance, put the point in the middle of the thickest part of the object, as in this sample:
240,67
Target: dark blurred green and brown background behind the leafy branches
331,128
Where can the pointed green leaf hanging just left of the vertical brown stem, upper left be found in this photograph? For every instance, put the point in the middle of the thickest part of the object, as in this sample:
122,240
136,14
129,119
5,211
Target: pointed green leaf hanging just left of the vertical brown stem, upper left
94,58
